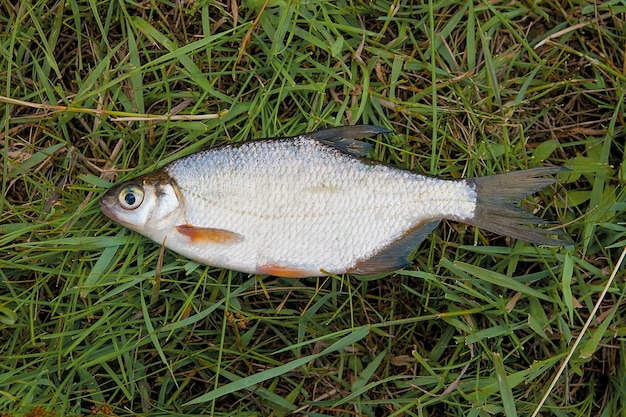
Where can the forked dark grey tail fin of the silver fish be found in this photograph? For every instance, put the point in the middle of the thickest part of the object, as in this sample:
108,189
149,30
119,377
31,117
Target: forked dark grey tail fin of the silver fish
497,209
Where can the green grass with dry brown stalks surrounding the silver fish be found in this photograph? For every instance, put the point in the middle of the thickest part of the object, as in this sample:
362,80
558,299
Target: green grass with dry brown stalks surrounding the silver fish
97,320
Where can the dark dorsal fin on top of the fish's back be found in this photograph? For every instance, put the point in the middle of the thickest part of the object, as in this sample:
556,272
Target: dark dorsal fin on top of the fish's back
345,138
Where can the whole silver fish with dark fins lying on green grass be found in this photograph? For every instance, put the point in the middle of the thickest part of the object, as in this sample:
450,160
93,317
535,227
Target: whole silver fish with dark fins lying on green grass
315,205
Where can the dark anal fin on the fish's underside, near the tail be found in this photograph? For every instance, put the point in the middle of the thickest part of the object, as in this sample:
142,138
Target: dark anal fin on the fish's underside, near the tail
396,255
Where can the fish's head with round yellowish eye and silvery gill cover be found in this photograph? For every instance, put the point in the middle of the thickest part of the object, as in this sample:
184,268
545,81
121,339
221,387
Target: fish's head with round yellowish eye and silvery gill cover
148,204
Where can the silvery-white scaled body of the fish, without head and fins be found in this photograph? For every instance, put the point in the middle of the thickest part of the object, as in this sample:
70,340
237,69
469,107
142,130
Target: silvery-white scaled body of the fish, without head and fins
302,205
